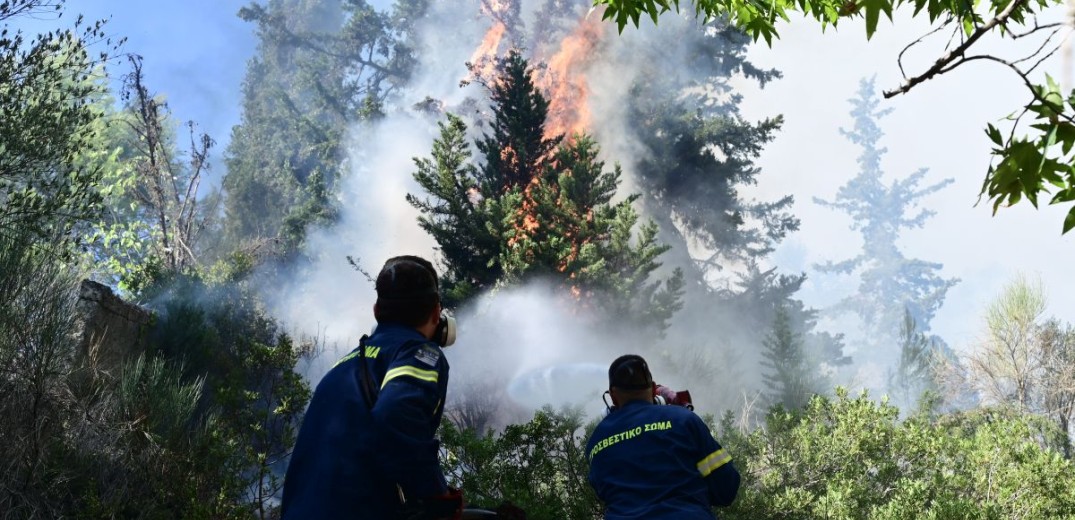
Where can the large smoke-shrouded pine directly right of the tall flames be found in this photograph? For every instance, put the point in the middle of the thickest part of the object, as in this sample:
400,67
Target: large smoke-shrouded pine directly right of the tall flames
700,153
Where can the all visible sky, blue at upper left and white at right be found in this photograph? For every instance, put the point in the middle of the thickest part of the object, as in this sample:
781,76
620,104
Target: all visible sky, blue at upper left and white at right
196,53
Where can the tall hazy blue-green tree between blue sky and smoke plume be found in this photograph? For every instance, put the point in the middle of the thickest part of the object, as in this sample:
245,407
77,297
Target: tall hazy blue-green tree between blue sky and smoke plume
321,67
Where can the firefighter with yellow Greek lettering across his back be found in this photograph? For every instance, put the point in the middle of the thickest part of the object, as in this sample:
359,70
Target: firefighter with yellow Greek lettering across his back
656,463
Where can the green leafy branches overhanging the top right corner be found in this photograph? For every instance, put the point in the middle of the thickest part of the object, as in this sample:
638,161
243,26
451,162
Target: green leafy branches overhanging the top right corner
1035,158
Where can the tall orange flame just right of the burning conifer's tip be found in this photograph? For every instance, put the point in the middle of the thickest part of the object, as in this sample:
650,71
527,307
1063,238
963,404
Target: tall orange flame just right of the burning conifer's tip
565,83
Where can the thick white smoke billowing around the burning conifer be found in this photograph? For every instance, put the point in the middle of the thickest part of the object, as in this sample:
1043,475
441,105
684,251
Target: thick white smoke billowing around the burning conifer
525,343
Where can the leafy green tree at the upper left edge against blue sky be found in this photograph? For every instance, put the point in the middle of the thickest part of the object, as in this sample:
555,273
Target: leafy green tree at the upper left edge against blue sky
48,115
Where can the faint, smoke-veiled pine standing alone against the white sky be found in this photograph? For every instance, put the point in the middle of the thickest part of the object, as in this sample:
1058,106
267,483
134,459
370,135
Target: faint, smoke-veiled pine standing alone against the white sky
890,282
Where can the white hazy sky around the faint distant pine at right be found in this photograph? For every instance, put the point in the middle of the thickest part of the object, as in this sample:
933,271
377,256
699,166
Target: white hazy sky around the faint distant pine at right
939,126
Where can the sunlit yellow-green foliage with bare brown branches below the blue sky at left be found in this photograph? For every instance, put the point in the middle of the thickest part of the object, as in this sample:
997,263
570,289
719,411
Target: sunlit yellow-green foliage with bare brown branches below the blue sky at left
153,215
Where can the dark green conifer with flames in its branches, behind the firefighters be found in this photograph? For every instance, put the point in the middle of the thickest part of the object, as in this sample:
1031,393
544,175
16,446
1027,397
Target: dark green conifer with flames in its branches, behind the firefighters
538,207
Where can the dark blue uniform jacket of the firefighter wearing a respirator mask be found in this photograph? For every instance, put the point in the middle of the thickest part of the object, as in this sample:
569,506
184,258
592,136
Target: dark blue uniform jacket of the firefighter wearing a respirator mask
349,459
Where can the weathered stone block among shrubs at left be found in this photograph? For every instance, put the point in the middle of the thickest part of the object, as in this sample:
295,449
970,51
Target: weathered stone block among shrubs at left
113,330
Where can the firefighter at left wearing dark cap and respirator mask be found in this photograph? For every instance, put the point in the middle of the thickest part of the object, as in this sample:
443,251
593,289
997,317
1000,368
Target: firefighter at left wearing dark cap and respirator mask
367,449
